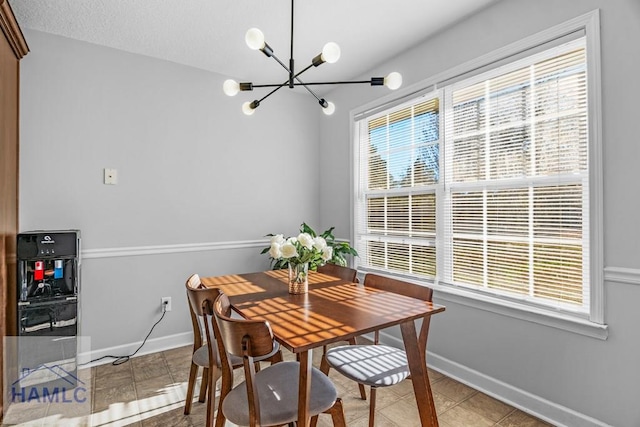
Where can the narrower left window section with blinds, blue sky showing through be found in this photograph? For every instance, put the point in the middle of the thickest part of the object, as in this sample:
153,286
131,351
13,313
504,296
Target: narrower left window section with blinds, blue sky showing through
399,170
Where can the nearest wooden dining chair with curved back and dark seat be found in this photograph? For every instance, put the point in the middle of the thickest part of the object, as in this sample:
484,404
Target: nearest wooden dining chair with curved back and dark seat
268,397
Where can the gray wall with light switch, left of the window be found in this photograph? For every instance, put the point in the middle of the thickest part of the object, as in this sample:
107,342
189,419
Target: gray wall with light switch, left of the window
192,170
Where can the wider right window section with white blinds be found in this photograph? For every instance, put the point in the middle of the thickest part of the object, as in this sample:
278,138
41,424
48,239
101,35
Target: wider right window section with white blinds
516,209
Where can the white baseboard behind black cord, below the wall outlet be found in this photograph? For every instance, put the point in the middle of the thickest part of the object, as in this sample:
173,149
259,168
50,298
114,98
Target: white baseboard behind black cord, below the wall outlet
153,345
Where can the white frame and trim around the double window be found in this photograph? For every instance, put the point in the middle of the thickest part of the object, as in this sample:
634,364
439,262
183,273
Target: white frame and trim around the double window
587,25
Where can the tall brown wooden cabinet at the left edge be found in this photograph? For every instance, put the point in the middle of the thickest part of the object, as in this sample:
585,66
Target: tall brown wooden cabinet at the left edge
12,48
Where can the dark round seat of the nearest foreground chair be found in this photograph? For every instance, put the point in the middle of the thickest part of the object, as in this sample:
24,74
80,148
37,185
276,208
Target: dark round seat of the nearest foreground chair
277,387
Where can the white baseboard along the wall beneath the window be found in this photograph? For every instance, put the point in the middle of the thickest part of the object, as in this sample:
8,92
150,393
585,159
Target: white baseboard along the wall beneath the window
537,406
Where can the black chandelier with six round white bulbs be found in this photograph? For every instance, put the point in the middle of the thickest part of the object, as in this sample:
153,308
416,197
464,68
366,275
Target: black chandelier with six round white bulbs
330,54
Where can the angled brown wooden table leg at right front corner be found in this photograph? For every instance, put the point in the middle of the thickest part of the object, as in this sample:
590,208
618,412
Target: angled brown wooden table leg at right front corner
419,376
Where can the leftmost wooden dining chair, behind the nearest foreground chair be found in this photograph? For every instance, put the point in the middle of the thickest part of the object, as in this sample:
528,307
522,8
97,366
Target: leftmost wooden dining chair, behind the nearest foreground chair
208,356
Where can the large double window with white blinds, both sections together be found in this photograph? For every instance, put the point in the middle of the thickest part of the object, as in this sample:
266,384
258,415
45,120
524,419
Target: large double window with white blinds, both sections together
484,185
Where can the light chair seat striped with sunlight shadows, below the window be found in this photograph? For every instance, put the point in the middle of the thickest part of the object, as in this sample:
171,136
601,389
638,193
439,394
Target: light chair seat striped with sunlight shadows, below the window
372,365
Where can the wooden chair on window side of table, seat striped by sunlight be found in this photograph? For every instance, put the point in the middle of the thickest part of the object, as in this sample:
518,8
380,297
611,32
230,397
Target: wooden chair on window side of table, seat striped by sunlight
377,365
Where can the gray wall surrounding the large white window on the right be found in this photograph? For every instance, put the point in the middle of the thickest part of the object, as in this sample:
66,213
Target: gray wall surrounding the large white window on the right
562,371
